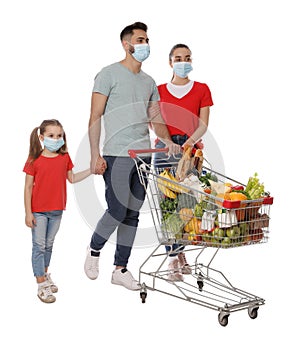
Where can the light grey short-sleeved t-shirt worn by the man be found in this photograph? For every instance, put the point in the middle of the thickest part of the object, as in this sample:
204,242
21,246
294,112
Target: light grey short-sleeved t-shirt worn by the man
125,116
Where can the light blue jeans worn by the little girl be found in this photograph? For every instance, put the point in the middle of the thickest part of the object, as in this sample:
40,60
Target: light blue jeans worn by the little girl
43,235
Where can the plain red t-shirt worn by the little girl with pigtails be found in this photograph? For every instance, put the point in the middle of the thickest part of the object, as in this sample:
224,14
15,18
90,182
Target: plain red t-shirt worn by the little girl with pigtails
49,190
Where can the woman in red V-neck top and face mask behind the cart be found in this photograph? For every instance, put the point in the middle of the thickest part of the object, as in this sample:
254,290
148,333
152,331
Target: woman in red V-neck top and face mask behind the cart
185,106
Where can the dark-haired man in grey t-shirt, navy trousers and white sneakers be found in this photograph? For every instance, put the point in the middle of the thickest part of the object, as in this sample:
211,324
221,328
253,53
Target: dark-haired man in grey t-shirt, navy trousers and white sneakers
127,99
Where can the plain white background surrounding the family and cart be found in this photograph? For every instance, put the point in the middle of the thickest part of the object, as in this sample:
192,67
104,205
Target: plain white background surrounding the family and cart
247,52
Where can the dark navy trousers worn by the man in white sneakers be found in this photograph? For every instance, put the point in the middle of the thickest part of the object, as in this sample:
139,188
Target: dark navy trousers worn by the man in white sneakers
125,196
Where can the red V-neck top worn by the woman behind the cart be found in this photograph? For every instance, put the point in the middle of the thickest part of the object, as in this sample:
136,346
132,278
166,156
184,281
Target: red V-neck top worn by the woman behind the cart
181,115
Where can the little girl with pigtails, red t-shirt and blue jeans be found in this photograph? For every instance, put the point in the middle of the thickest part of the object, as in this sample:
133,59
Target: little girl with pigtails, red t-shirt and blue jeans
47,170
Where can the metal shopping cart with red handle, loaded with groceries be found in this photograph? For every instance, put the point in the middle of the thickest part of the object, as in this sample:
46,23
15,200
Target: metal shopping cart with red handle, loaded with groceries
193,217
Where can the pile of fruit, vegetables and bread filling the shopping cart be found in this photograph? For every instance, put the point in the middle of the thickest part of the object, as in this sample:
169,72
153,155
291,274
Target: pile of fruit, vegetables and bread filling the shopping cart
207,208
